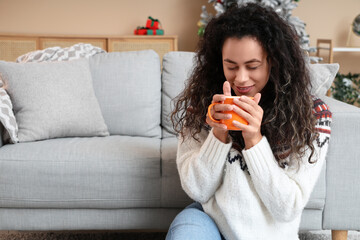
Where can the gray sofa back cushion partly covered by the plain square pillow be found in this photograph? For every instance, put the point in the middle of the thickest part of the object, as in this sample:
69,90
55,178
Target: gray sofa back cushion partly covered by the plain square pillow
128,87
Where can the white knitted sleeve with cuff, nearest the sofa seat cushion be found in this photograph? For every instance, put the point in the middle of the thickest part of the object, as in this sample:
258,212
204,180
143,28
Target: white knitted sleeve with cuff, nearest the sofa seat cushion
201,165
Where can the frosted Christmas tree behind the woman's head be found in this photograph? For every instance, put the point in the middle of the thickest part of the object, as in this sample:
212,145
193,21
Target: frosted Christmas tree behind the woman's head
282,7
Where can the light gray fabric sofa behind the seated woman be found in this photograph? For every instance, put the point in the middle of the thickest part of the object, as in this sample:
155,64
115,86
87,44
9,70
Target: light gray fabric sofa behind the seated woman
128,180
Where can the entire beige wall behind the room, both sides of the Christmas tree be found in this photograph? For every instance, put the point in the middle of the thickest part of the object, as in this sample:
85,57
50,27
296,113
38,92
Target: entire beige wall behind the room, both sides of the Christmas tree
324,18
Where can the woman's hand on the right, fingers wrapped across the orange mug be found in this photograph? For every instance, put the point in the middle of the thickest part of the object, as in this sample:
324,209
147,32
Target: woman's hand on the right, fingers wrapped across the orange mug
251,111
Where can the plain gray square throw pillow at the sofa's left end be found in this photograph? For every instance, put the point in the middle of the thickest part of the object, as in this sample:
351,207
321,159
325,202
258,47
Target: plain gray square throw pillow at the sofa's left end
53,99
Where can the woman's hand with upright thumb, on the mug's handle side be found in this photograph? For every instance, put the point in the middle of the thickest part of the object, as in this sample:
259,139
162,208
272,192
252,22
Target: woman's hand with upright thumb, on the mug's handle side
220,130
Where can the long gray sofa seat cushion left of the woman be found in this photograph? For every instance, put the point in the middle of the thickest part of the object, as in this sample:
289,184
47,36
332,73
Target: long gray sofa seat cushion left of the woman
98,172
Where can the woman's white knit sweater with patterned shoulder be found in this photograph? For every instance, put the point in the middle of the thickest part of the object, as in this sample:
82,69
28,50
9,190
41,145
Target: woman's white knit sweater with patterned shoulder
247,194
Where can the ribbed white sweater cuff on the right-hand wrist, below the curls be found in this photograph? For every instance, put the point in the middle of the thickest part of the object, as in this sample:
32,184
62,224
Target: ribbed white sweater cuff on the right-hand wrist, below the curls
260,158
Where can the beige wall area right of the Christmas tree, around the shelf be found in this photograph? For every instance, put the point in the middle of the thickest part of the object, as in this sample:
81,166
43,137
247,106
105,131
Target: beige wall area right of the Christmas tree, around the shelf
331,19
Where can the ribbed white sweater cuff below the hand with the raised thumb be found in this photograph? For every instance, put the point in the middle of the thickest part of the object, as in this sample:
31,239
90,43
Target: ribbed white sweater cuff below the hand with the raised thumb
213,149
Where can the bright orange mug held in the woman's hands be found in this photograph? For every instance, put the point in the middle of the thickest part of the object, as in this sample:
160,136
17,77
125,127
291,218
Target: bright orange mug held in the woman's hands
235,116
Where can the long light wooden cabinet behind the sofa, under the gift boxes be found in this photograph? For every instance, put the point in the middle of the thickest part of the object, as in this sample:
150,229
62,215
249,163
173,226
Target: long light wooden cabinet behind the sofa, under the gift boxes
13,46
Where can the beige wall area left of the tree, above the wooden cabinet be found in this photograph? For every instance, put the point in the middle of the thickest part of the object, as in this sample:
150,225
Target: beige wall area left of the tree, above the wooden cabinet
101,17
